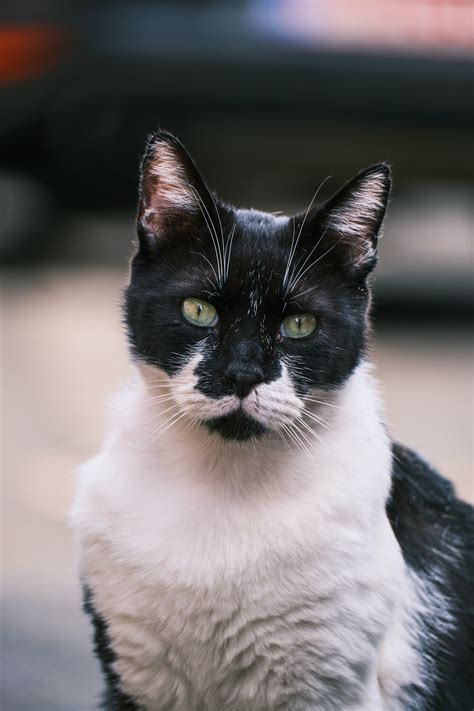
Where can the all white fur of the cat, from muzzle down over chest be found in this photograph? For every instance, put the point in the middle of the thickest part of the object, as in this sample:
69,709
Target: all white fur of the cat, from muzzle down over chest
248,575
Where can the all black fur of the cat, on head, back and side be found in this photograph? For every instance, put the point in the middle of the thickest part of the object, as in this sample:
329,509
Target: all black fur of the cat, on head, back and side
176,259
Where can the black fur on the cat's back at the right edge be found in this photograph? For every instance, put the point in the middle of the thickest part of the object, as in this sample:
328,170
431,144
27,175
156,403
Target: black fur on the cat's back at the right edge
435,530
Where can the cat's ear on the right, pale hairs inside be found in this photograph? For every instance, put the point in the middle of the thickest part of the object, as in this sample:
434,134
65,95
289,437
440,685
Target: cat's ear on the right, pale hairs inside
353,217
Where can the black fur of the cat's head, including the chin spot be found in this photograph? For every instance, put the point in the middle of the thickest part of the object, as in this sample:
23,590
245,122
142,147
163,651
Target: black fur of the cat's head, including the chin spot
175,261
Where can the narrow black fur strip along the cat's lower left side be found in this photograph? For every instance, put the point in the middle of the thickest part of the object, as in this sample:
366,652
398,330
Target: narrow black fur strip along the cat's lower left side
113,698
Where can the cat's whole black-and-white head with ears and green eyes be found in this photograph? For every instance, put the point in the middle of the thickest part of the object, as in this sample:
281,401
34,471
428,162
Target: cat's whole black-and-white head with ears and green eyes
247,313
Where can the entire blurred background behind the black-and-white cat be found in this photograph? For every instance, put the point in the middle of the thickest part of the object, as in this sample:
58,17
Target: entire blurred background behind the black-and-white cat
270,98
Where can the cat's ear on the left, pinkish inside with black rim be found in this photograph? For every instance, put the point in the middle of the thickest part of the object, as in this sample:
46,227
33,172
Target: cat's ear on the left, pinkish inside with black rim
172,195
